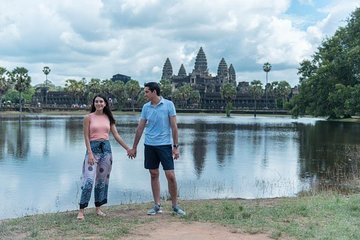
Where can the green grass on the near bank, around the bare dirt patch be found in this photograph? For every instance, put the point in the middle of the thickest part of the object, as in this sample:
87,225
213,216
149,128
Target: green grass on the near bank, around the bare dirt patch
321,216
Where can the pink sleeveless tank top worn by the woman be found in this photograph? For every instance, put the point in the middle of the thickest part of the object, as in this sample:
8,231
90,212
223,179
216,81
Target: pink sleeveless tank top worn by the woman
99,127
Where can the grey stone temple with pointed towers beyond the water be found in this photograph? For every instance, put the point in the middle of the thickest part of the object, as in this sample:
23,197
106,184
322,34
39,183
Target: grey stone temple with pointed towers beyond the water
209,86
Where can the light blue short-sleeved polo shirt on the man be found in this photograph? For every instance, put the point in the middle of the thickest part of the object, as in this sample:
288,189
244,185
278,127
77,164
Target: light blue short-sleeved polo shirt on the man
158,128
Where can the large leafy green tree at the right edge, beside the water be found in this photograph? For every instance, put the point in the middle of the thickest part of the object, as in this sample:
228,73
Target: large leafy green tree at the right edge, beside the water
331,74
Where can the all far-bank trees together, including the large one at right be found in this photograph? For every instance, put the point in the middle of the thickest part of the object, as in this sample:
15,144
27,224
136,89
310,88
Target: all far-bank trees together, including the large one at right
329,82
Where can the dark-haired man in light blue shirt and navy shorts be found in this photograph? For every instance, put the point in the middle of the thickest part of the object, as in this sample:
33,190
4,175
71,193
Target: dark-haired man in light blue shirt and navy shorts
159,117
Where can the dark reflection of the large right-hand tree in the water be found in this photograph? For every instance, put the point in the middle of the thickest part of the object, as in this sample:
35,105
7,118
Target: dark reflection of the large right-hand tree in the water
329,152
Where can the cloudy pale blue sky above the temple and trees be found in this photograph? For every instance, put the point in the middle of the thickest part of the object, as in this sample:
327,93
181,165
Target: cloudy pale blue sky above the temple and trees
100,38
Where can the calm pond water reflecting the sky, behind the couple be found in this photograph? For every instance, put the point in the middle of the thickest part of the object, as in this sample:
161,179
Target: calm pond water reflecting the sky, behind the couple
220,158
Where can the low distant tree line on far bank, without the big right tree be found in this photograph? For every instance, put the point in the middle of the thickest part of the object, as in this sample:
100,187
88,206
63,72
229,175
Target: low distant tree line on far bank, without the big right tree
15,86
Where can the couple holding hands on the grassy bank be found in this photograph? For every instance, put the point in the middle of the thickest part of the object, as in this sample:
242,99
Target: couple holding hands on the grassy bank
158,119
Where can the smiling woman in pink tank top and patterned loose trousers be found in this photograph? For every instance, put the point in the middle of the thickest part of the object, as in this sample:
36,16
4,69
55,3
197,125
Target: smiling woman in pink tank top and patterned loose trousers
98,157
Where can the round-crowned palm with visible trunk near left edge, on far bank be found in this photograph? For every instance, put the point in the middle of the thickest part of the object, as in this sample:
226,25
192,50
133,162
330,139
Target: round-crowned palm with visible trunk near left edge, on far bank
21,80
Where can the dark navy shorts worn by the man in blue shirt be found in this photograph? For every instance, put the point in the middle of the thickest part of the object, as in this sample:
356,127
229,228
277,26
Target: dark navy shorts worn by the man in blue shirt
154,155
